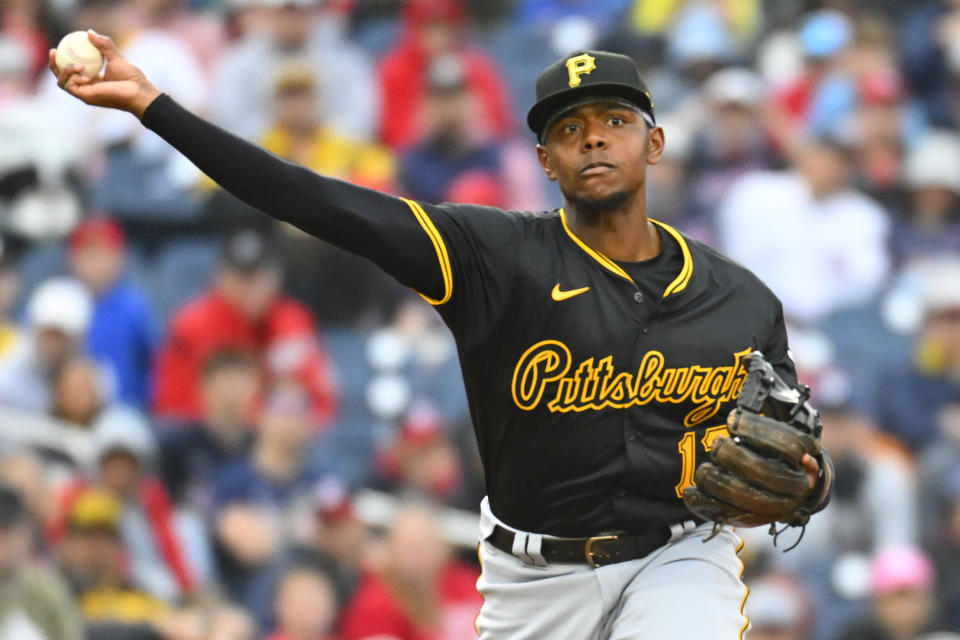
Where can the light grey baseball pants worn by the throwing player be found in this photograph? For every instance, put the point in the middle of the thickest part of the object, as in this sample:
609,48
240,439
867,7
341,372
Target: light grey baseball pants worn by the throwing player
687,589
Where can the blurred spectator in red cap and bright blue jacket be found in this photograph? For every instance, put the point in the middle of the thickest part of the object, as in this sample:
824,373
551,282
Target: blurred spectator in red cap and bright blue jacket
121,333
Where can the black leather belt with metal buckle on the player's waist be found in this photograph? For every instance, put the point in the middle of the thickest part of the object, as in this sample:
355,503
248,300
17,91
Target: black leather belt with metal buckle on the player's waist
596,551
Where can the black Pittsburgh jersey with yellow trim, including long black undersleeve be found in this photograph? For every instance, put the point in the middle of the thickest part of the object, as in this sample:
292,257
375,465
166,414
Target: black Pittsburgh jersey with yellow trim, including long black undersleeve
594,394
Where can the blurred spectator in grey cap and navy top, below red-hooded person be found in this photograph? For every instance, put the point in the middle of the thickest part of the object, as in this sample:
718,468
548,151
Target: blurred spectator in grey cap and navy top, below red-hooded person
450,163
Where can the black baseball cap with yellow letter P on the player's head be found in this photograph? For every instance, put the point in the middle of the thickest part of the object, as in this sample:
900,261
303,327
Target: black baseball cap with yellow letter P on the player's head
583,75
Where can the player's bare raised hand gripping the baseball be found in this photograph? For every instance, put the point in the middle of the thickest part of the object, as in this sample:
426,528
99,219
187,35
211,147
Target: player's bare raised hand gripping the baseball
122,85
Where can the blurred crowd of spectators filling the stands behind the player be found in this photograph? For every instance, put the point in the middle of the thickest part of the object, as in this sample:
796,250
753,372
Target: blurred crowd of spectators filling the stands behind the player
213,426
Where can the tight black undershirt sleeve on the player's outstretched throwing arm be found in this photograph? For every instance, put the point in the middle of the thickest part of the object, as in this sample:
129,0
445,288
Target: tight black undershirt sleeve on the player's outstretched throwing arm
374,225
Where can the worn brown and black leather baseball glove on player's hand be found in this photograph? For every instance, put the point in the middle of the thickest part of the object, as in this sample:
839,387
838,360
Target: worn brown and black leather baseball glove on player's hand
755,476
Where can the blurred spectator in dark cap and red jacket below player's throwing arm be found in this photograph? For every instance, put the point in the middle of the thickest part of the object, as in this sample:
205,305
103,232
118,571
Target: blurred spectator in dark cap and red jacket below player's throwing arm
245,311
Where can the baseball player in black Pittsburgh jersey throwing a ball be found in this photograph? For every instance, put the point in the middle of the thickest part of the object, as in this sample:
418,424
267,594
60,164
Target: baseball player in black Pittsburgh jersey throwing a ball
602,352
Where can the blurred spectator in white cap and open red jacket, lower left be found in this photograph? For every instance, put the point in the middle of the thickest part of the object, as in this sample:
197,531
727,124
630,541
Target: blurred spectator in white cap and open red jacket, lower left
165,555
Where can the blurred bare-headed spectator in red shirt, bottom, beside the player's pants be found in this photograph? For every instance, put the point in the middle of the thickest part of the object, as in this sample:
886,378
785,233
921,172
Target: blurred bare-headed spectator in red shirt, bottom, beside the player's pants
416,591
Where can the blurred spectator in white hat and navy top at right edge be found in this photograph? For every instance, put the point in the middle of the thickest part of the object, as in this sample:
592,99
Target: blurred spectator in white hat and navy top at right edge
930,224
